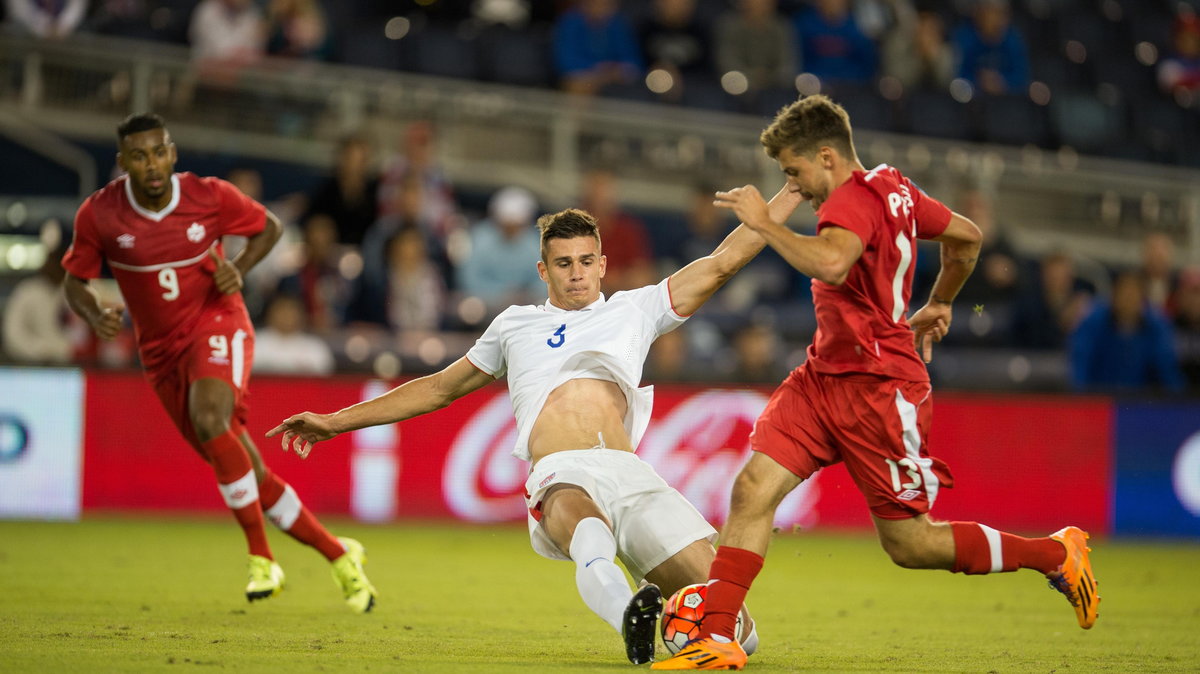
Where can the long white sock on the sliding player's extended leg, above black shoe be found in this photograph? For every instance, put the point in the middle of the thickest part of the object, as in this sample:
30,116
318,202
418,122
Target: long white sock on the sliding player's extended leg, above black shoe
602,583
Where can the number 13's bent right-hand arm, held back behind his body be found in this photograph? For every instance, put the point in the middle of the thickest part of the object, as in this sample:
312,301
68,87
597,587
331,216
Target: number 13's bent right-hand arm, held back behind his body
961,242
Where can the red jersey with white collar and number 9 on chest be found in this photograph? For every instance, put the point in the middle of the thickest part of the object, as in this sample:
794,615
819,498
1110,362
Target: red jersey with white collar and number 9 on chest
161,260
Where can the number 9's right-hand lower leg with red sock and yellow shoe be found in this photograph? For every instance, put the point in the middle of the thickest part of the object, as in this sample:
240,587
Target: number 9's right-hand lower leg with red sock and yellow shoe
285,509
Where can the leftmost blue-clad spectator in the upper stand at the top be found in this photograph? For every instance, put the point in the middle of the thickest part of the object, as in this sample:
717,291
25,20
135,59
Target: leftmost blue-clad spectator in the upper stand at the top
596,47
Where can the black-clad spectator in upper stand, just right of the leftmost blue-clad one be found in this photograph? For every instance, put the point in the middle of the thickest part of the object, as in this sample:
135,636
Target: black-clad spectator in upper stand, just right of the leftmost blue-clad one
674,39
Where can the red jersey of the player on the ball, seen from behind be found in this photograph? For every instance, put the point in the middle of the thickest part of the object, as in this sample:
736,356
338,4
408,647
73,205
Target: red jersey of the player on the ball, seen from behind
862,326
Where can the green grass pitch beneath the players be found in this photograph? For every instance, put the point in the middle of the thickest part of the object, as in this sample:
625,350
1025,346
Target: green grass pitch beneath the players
165,595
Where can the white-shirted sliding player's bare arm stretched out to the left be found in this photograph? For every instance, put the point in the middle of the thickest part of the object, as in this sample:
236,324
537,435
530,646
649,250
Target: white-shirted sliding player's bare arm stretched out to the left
413,399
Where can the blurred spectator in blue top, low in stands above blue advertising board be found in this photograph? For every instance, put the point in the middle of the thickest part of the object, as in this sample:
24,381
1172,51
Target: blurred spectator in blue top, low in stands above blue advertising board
1125,345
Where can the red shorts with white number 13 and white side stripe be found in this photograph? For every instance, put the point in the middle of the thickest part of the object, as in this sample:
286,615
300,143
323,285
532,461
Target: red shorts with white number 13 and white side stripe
877,426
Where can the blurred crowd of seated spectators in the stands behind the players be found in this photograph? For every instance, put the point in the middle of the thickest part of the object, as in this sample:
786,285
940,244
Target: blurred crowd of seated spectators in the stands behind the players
387,256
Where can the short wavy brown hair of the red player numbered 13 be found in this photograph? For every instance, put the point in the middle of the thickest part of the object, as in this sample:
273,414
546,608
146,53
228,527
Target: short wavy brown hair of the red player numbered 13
807,125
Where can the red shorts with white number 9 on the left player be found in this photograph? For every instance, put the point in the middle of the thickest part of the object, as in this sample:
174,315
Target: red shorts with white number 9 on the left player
221,347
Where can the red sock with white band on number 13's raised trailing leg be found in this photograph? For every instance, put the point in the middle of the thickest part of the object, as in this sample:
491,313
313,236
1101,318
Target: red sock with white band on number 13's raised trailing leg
983,550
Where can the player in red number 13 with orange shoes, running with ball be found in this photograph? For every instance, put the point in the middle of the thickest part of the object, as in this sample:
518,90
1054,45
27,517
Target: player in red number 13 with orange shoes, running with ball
863,396
